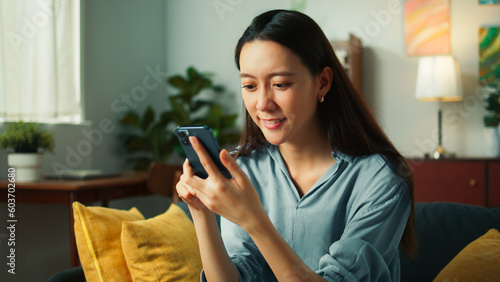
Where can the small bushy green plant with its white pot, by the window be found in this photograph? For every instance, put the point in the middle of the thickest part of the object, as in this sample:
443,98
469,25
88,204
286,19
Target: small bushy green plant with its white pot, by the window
28,142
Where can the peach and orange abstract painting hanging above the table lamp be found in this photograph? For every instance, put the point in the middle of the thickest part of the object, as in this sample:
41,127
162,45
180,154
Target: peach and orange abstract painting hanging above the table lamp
427,27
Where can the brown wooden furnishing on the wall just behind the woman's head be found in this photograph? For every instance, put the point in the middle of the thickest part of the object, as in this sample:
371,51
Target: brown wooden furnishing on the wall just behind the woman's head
350,54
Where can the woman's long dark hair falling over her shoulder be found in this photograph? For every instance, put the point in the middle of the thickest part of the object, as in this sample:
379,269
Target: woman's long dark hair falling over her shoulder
344,117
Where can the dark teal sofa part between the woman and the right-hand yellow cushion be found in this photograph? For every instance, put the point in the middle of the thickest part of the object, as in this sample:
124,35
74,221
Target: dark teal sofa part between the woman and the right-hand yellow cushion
443,230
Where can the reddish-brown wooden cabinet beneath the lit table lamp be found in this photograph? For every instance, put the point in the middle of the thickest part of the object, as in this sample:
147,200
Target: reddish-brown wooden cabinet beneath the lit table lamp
468,181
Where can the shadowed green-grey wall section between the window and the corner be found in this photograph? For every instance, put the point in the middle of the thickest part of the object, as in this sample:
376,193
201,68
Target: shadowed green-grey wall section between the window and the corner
124,67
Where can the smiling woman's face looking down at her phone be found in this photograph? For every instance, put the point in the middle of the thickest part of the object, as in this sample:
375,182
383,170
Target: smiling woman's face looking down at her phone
279,92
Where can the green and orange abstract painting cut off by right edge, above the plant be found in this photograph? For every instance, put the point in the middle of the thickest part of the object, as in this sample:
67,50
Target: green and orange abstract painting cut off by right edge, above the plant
489,54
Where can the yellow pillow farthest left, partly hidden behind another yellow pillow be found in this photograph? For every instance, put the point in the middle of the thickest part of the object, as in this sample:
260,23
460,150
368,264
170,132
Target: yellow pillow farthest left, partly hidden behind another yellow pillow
97,234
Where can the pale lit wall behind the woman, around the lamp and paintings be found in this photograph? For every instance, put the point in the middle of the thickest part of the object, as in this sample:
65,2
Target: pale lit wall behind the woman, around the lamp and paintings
204,33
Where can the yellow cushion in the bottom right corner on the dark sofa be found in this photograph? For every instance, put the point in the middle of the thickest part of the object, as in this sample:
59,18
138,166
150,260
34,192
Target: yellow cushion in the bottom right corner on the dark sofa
479,261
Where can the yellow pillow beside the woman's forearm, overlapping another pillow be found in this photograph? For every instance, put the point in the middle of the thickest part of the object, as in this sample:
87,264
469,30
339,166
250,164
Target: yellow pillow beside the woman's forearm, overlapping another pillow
163,248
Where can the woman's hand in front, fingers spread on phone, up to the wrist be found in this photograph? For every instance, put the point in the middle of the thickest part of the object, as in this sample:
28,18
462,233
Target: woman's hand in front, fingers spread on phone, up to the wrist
235,198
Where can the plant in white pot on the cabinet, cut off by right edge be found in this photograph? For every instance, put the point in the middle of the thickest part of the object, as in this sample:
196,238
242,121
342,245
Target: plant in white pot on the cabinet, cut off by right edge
492,118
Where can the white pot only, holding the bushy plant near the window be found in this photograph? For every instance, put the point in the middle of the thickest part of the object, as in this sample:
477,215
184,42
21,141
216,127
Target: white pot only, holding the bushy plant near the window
27,165
